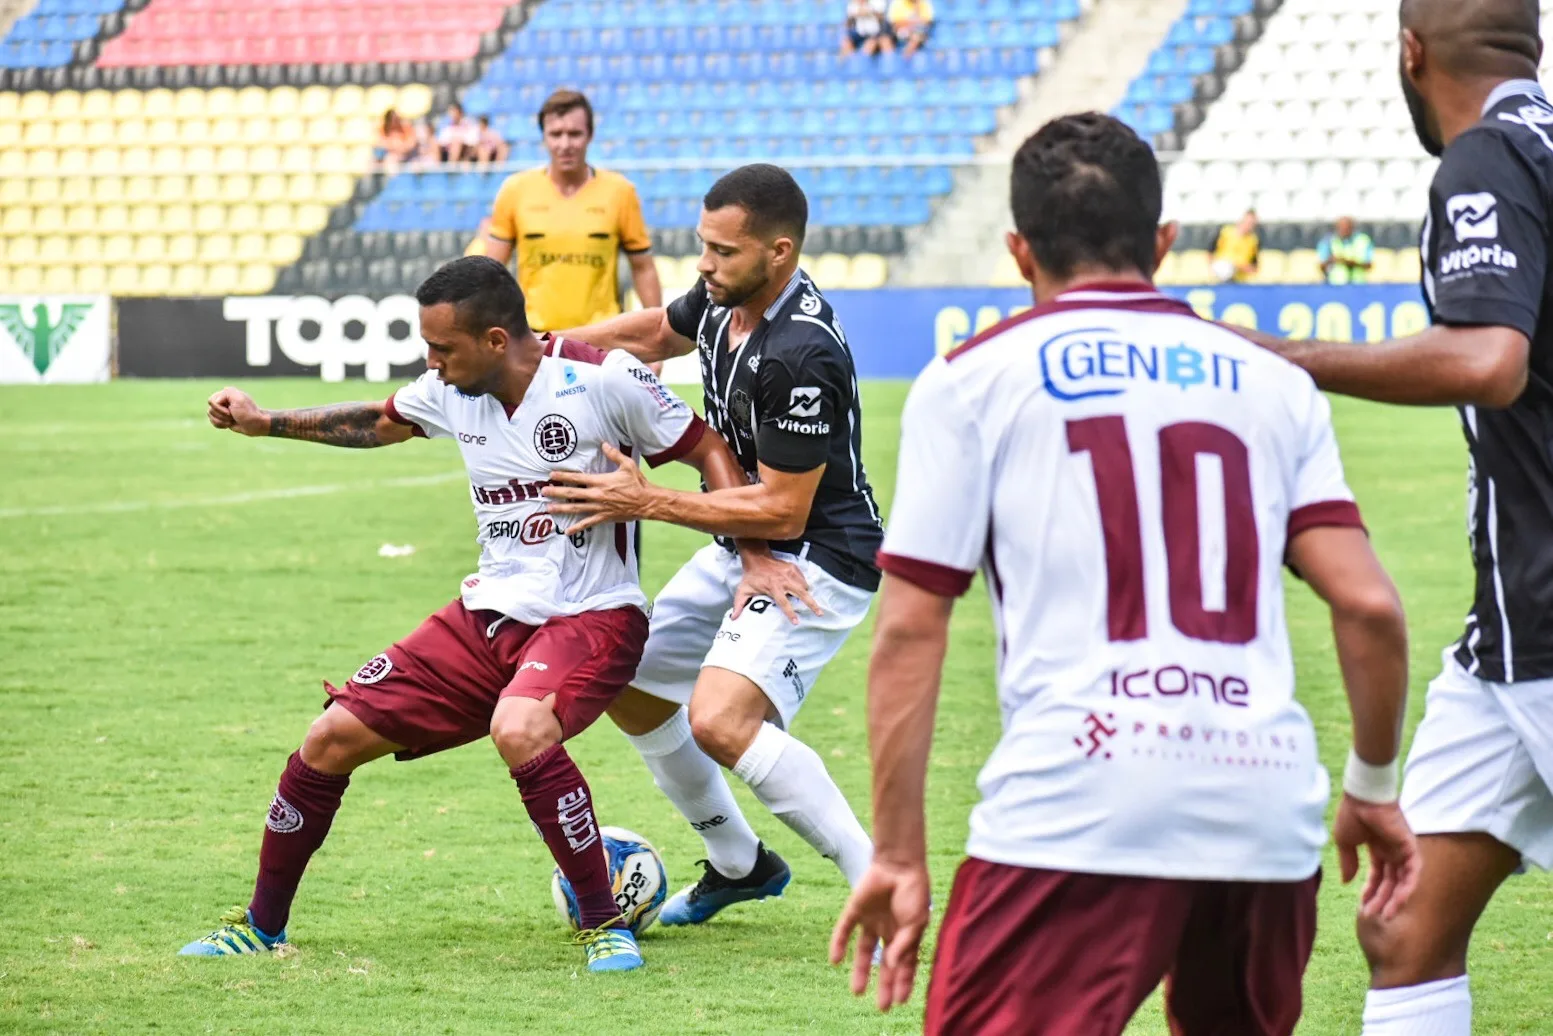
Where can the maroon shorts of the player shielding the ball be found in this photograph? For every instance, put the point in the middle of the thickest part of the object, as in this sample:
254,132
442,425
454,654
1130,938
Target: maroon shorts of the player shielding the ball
439,687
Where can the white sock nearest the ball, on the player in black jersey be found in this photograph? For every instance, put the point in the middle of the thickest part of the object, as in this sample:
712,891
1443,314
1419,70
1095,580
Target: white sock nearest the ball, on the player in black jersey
697,787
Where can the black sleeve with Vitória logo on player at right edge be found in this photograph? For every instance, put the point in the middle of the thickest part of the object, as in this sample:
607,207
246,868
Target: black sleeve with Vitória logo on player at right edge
1490,245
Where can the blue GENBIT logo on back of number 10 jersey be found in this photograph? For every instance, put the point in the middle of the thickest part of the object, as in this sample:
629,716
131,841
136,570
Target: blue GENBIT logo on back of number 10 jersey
1094,363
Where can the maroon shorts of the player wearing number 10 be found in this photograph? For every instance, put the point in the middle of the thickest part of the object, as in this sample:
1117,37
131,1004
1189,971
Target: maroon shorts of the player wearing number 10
1046,953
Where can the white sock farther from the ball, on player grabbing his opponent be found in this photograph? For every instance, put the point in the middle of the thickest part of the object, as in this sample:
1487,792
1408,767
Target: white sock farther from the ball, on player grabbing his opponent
790,777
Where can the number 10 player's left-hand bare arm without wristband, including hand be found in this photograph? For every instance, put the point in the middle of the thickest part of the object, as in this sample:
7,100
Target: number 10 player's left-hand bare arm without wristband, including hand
891,905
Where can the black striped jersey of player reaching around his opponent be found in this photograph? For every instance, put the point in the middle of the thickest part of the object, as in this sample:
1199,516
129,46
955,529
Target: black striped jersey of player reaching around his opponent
788,398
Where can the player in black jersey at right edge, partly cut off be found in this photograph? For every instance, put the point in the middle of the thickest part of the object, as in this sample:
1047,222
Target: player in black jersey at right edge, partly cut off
1479,776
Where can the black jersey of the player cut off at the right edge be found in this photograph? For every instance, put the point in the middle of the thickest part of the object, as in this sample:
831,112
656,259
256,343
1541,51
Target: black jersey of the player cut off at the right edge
1485,257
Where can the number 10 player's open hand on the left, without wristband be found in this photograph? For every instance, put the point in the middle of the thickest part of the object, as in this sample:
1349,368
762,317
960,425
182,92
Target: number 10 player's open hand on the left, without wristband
891,908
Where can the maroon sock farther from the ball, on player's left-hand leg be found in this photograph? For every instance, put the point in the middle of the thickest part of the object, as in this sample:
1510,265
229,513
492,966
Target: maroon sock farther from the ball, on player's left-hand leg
301,818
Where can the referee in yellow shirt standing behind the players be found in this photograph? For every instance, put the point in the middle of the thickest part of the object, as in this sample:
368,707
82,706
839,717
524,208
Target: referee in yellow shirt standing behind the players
569,223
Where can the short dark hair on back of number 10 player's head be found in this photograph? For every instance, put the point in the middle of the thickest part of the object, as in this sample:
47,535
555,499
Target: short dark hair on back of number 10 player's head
1086,192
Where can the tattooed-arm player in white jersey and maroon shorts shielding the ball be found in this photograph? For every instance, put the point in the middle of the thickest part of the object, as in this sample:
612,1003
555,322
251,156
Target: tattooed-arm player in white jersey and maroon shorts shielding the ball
544,636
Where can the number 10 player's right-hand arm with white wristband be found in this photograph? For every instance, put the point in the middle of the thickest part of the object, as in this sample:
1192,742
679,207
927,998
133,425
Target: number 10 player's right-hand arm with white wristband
1372,652
